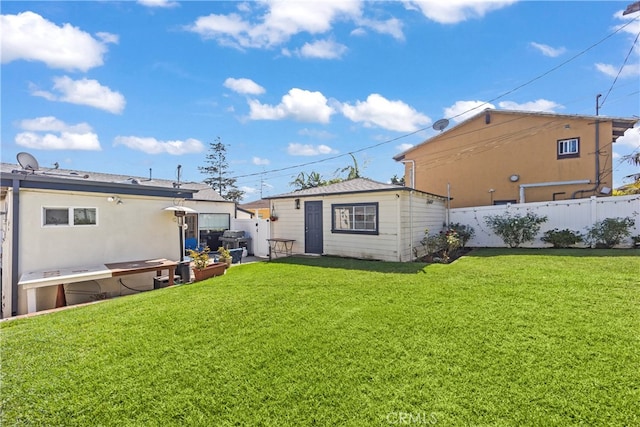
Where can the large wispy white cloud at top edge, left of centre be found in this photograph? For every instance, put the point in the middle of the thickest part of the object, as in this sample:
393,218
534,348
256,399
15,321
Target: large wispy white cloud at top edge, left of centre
281,20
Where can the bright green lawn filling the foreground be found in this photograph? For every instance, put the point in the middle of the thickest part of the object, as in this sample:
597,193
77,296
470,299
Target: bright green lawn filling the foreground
499,337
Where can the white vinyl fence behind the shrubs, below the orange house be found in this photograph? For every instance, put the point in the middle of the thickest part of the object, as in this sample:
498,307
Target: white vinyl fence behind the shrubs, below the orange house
577,215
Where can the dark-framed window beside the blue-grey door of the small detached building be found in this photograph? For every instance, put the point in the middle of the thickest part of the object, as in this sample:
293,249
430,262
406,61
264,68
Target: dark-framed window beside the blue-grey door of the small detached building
359,218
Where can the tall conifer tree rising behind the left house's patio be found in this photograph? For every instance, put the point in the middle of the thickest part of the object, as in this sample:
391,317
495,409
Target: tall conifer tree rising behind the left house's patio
218,172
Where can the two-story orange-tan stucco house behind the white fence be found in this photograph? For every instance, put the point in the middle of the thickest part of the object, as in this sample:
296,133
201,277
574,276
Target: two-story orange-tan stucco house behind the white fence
501,156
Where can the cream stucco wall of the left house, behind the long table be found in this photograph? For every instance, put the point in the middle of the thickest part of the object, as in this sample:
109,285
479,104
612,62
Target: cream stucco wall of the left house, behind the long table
137,229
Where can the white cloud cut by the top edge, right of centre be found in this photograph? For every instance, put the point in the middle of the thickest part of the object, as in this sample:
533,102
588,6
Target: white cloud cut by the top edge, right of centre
454,11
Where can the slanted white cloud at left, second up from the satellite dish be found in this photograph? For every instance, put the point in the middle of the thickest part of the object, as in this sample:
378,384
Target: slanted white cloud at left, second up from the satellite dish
84,92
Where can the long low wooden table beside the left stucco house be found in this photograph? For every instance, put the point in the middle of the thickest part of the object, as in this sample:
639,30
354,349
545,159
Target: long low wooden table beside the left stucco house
33,280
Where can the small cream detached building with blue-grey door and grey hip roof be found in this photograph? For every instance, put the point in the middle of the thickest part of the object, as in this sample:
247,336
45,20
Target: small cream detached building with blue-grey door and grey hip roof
358,218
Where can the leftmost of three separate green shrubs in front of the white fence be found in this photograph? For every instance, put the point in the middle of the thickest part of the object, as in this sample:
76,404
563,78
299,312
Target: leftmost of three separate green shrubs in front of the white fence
515,230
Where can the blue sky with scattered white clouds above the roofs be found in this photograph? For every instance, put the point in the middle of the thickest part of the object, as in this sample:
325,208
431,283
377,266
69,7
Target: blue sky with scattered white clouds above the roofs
124,87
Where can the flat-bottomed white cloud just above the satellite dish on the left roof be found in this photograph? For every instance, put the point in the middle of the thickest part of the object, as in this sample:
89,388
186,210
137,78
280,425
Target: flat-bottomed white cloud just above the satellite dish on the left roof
50,133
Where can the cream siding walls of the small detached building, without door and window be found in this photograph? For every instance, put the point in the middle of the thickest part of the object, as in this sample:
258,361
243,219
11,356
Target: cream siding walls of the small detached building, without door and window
395,224
